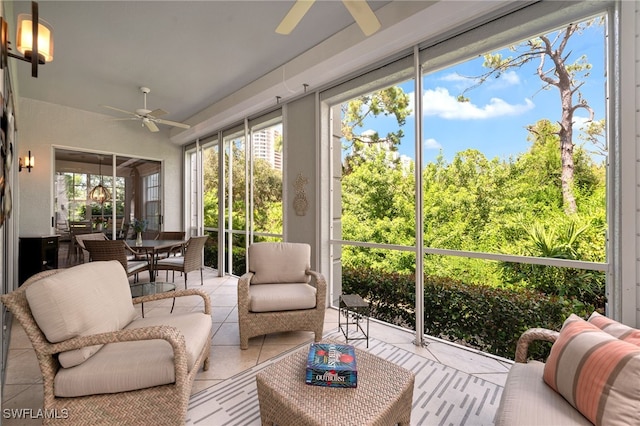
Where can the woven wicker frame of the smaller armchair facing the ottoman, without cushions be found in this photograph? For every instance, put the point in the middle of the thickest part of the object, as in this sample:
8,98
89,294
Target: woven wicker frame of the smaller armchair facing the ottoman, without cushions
258,323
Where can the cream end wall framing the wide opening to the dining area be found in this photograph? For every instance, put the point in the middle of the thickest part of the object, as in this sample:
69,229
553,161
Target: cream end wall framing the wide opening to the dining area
41,125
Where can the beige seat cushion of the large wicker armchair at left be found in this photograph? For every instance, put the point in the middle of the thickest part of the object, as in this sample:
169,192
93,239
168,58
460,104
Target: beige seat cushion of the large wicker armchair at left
126,366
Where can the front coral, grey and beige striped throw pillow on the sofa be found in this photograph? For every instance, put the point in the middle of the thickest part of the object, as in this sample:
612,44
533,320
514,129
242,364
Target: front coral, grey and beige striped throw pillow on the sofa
596,373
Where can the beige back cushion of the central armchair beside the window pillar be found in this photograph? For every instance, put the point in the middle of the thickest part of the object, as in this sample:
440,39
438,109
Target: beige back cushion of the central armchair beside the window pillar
279,263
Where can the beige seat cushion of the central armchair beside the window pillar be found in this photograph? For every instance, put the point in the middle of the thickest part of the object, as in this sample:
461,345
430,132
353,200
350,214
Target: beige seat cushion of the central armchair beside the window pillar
281,297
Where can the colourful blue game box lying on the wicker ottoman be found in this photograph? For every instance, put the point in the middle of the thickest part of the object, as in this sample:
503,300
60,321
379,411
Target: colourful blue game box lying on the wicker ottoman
333,365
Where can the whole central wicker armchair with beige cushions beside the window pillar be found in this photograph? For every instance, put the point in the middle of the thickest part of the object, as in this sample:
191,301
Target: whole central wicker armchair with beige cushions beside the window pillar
280,292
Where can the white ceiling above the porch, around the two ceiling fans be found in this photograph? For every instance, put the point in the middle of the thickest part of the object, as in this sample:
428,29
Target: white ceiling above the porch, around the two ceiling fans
193,54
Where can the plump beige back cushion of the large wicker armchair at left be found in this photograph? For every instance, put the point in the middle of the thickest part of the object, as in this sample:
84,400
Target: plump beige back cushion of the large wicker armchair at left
93,298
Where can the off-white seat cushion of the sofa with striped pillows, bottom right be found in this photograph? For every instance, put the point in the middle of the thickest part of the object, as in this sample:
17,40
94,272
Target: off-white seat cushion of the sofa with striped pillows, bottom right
527,400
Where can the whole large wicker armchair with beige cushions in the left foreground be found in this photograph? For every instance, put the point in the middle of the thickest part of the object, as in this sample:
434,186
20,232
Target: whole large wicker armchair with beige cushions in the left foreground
101,362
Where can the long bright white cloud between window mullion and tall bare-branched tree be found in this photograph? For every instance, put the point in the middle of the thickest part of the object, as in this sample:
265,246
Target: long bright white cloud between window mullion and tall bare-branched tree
440,103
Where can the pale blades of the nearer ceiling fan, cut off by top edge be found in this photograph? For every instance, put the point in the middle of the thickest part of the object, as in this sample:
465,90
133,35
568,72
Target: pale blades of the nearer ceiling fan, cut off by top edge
359,9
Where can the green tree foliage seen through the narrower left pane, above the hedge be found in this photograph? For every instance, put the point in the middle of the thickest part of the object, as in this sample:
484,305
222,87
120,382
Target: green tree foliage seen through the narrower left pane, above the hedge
377,190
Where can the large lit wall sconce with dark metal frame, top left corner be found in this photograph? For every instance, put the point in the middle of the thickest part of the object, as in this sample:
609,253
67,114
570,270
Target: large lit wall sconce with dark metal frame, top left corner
29,38
